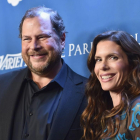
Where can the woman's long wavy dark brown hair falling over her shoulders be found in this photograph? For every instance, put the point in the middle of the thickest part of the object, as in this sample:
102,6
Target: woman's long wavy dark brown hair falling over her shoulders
100,120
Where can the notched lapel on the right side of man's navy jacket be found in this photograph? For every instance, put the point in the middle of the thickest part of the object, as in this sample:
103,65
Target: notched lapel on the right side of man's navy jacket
68,106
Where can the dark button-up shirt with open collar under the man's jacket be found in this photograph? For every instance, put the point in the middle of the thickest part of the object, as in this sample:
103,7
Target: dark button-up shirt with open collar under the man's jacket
39,107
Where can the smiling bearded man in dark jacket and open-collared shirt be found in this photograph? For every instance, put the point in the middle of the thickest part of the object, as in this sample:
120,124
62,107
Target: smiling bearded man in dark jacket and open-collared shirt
45,100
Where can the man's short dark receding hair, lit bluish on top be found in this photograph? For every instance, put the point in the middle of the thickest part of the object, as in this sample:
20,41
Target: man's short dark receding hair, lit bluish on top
55,18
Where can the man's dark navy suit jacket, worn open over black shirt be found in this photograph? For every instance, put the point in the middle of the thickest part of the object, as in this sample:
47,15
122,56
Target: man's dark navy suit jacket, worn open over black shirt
66,125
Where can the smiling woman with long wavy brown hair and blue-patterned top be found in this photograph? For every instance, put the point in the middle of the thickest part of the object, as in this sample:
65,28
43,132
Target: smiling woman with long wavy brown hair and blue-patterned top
113,89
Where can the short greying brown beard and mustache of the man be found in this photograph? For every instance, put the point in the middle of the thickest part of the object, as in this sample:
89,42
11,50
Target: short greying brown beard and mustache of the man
51,59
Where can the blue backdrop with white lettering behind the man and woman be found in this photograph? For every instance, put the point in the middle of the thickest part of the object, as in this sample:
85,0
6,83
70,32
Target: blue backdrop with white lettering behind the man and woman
84,19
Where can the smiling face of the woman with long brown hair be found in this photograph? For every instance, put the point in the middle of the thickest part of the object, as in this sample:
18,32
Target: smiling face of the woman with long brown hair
111,66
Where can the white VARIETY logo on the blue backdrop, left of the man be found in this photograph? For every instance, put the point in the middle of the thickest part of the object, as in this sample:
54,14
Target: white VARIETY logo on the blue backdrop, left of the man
11,61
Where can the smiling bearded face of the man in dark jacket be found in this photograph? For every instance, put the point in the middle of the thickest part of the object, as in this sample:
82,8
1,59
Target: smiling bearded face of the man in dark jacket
41,46
